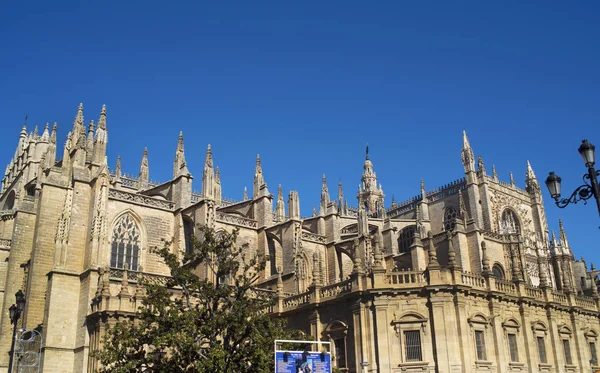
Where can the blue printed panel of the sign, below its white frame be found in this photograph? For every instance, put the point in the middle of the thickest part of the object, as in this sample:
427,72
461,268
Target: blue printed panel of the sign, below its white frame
302,362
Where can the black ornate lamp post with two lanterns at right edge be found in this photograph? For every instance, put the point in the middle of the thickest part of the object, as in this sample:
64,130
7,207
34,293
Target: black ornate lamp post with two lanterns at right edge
590,187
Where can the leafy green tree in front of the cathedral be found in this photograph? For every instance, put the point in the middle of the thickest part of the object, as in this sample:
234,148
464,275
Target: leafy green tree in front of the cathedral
194,324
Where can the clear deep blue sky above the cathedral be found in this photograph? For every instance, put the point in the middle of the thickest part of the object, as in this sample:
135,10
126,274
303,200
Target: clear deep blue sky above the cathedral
307,85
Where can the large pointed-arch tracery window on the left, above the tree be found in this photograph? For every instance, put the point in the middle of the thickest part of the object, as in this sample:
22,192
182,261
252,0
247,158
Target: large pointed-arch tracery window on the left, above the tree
125,246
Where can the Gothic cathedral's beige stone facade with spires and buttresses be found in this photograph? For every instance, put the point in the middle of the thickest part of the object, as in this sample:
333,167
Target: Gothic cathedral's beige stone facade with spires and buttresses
462,278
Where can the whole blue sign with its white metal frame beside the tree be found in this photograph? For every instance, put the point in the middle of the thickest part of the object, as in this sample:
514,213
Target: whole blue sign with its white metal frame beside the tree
306,361
